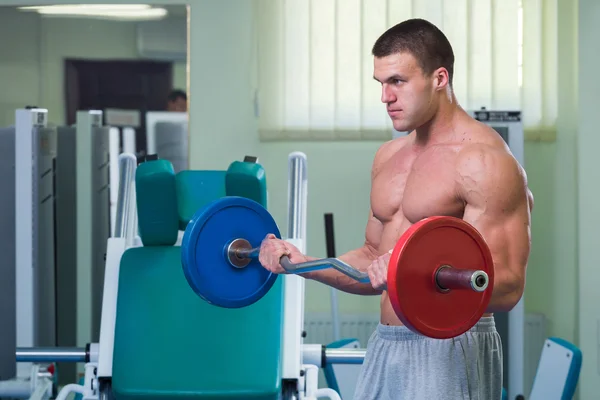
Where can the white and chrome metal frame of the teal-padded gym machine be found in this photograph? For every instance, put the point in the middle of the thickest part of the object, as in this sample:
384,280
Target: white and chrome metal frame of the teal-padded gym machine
298,374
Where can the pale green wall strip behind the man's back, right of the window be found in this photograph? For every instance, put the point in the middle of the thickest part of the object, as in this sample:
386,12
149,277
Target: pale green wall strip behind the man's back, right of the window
552,284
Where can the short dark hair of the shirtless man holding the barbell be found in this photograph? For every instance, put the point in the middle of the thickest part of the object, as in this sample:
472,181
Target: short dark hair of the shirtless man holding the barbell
423,40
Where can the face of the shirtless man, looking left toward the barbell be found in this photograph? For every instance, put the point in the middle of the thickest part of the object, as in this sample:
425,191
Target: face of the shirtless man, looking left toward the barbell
406,91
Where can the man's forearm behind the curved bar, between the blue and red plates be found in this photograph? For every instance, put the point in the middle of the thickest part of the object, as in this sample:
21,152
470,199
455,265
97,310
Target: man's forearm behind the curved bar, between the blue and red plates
360,259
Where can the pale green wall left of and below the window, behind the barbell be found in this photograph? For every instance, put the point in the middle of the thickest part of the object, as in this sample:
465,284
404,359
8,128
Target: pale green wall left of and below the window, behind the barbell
224,128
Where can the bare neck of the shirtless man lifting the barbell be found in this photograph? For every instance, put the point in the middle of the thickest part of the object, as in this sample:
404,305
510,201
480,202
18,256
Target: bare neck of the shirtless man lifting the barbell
441,124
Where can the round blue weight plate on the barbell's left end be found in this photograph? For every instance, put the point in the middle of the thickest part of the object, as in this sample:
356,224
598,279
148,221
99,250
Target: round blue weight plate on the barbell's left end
203,250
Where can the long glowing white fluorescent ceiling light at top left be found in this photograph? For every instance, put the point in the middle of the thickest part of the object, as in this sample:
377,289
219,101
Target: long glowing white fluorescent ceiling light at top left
116,11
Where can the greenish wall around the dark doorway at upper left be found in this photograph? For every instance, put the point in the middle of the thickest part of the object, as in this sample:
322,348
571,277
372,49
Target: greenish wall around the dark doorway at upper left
32,67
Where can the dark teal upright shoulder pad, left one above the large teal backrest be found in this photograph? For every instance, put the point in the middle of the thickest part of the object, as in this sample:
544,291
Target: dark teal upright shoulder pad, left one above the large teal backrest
156,203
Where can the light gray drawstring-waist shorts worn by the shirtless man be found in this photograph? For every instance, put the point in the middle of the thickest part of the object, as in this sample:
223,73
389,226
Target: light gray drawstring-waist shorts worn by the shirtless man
401,364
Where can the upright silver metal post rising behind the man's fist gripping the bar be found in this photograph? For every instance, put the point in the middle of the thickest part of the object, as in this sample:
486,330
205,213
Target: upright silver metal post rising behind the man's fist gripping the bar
297,196
